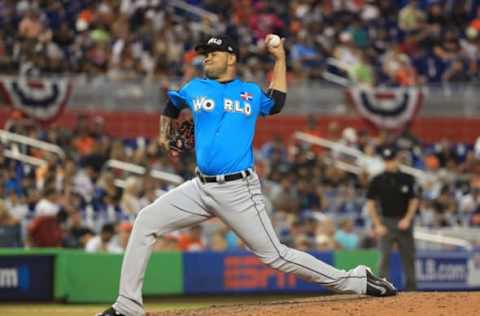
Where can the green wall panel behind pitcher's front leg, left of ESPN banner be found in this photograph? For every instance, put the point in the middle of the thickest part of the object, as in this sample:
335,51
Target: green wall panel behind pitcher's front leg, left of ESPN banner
94,278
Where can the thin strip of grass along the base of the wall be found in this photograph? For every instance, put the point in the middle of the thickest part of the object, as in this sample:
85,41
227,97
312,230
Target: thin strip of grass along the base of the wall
172,303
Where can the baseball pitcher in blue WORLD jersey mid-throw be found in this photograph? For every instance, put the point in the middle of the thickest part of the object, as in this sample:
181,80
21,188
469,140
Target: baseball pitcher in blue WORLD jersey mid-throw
225,110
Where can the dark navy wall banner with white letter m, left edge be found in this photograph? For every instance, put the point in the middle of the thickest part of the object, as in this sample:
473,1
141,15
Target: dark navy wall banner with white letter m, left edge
26,278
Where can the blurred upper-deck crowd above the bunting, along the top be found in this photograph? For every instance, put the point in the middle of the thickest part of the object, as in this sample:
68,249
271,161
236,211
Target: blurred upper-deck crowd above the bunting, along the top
376,42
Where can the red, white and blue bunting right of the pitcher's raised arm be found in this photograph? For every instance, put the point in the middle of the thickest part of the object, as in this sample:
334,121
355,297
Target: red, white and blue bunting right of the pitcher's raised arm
386,108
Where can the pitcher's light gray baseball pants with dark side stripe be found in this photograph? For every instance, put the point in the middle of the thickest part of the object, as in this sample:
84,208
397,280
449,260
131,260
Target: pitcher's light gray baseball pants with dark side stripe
240,205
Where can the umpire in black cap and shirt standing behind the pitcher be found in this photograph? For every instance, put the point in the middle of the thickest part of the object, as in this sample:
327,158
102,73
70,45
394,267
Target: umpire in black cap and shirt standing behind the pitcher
393,192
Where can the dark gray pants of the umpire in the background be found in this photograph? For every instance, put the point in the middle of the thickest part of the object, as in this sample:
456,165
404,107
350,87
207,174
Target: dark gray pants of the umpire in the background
406,247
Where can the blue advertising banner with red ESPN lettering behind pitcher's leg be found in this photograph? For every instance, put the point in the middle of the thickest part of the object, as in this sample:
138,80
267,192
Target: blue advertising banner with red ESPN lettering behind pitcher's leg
240,272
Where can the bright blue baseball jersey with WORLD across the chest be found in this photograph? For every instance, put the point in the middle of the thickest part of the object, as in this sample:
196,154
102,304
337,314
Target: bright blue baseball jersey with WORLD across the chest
225,116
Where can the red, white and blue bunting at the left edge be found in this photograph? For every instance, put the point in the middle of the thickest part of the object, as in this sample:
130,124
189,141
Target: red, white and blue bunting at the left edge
42,100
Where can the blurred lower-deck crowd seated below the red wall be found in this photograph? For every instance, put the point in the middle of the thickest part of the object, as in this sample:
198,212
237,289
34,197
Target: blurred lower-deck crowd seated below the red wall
77,201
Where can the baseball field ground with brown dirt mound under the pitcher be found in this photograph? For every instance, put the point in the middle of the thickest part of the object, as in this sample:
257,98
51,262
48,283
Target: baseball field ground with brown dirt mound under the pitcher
420,303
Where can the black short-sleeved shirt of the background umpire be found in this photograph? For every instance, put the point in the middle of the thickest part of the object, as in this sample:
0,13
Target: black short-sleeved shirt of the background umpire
393,191
